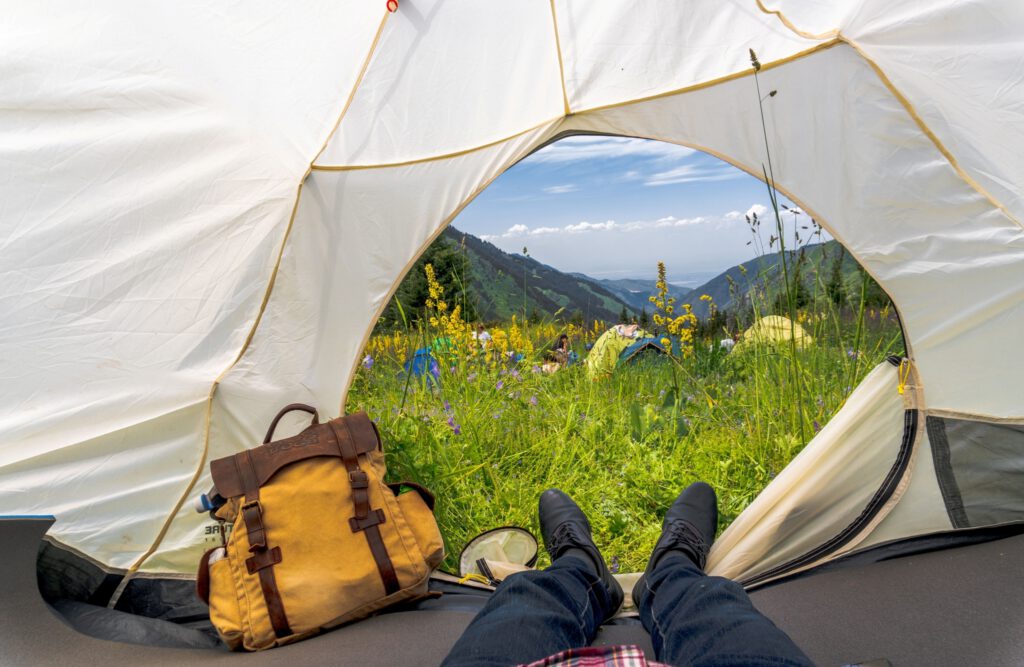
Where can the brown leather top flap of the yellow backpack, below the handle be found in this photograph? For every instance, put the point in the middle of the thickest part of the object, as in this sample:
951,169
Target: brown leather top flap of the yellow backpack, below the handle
318,440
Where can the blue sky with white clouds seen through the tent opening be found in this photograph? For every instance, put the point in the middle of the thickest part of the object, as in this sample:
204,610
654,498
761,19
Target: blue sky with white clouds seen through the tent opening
613,207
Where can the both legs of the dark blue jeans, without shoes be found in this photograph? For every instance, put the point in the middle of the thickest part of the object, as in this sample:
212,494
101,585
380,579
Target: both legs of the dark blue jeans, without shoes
693,619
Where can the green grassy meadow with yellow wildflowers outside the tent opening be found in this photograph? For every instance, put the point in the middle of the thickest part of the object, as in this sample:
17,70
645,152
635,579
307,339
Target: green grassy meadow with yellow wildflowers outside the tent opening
489,431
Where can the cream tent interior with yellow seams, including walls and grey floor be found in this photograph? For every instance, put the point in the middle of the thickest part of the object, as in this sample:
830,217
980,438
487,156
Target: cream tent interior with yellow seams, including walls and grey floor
229,219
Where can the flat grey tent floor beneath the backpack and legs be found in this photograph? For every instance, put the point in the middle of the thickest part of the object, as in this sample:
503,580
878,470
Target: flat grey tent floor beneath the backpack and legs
945,608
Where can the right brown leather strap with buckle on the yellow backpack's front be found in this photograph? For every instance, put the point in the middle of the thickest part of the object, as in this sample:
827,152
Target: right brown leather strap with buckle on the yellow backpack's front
366,520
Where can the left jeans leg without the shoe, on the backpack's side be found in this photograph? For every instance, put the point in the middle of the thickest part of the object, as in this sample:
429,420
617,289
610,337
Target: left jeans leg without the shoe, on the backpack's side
533,615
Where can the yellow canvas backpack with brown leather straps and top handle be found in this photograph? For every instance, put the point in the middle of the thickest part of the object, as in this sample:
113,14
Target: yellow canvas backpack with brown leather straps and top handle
317,538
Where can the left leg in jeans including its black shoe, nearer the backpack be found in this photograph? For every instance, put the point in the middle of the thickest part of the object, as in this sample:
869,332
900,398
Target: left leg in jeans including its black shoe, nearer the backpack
534,615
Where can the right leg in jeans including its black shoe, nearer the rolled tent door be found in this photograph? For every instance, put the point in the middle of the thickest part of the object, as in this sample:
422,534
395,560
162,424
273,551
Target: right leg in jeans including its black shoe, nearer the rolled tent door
695,619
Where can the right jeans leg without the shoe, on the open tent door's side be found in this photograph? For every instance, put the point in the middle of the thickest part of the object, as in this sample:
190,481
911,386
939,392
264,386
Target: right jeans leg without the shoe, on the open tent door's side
695,619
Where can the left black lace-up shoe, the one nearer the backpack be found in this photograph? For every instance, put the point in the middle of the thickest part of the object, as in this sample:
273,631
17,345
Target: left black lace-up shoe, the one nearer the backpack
566,529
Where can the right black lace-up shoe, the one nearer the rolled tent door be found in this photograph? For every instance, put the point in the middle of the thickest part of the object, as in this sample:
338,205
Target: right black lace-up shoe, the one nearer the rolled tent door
690,529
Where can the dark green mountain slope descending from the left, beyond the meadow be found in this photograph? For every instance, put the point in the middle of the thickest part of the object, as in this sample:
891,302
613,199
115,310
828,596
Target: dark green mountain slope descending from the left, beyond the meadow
504,285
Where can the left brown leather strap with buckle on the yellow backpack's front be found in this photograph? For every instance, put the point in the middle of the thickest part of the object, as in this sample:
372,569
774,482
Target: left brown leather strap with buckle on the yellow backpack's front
264,559
